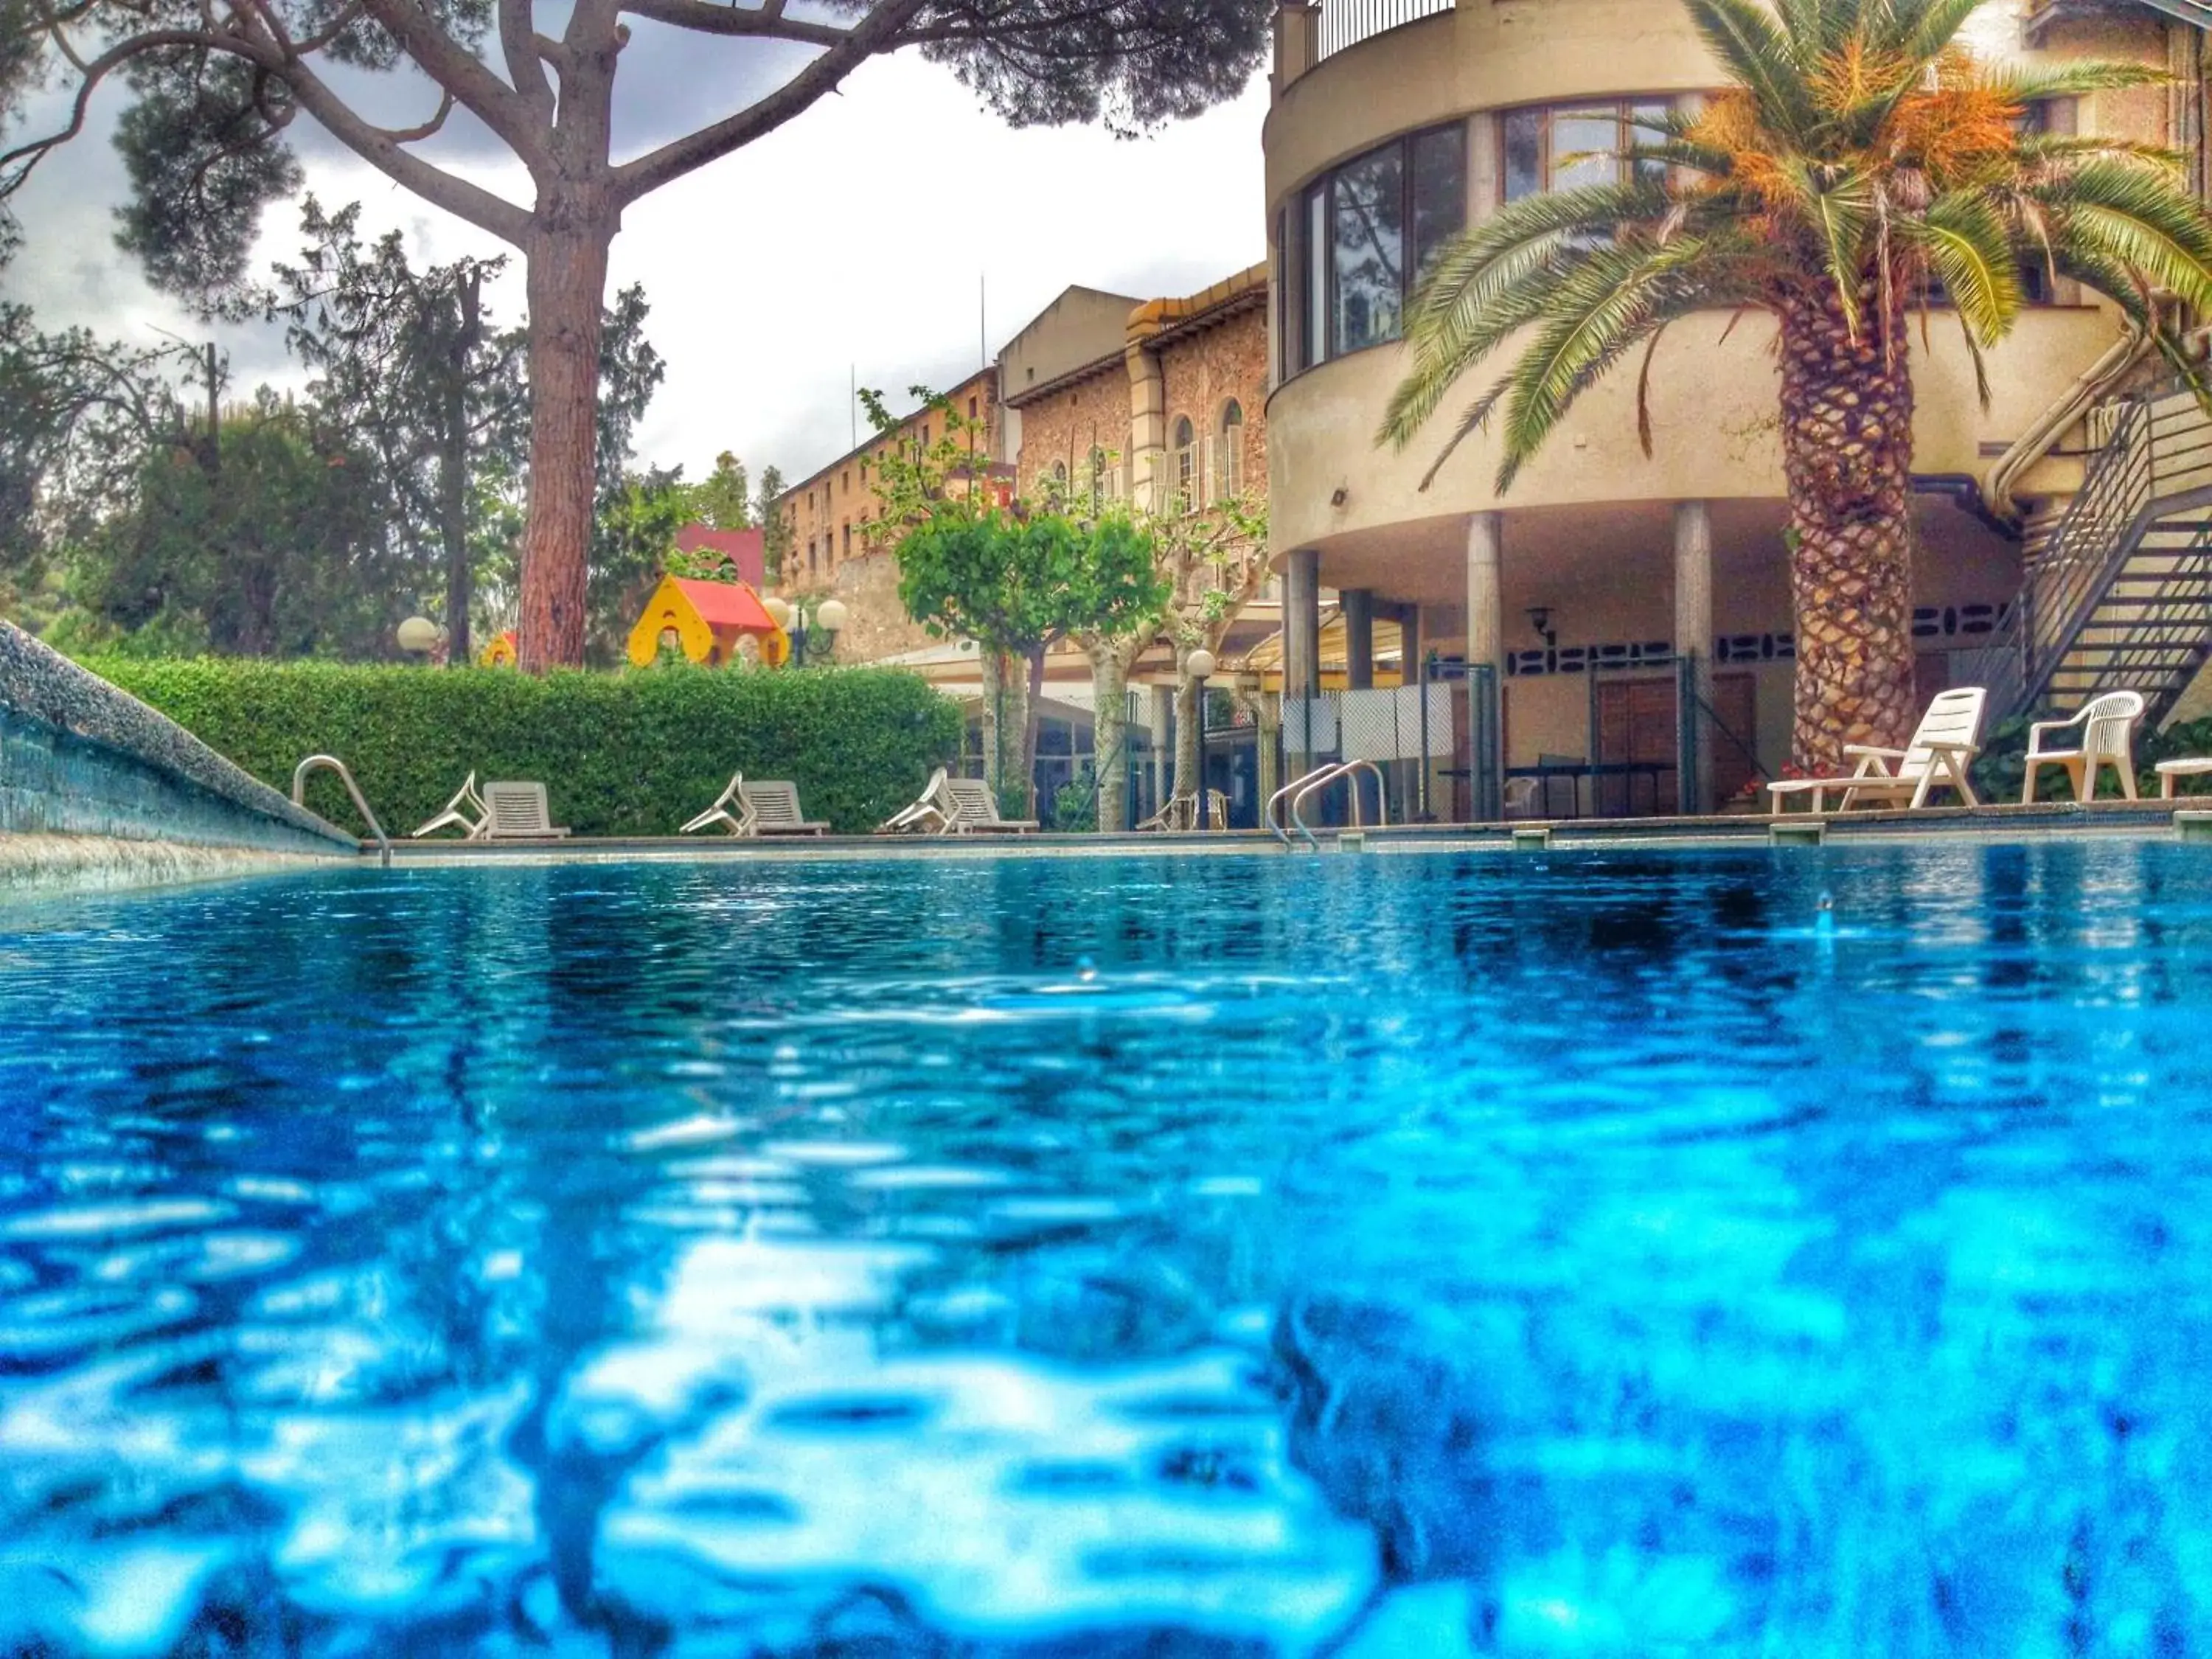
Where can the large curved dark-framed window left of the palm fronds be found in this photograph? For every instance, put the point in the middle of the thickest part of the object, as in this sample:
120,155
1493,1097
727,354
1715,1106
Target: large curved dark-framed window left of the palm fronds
1364,236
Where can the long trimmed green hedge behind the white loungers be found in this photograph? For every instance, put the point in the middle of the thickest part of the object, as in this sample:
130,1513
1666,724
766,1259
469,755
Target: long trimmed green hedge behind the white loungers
620,755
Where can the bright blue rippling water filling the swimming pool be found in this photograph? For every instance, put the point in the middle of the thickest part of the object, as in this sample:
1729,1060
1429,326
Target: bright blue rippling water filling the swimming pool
1578,1255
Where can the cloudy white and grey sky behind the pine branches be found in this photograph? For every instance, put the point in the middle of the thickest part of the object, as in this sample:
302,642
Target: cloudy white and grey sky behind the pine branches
853,240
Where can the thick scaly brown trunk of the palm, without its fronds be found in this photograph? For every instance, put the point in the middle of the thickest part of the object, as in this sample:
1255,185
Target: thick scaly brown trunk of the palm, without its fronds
1848,446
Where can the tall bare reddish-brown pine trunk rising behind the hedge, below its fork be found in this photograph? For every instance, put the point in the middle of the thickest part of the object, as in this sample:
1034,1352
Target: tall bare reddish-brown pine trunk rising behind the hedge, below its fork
567,284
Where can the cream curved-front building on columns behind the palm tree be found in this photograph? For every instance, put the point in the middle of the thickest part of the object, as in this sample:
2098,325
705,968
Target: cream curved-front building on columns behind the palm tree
1576,601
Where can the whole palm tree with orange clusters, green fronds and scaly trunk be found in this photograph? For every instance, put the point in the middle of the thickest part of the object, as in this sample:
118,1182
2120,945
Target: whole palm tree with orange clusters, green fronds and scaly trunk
1857,160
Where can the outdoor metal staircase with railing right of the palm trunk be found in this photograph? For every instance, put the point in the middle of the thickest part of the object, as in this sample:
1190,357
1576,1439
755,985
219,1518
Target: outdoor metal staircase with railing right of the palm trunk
2118,589
